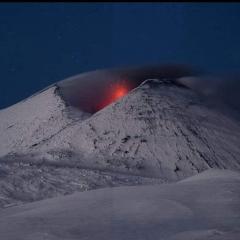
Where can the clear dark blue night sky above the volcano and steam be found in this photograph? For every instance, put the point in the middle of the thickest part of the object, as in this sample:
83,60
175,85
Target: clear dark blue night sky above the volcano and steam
44,43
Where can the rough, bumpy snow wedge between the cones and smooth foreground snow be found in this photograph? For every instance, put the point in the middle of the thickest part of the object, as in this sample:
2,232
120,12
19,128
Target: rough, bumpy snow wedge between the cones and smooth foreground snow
22,182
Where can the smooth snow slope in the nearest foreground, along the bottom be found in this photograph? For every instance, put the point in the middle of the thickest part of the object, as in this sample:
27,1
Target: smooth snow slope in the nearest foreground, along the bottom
201,207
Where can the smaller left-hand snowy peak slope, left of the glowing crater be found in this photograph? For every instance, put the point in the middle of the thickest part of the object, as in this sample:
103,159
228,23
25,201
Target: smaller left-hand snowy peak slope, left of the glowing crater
34,120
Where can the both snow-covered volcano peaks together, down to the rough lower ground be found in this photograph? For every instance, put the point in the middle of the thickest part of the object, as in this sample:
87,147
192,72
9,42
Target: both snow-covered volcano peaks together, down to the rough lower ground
159,129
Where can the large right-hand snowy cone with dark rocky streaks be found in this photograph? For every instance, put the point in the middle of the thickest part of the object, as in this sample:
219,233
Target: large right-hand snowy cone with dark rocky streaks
160,129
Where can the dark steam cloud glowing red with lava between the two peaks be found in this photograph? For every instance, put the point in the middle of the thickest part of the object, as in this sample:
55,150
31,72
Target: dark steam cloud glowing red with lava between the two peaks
93,91
